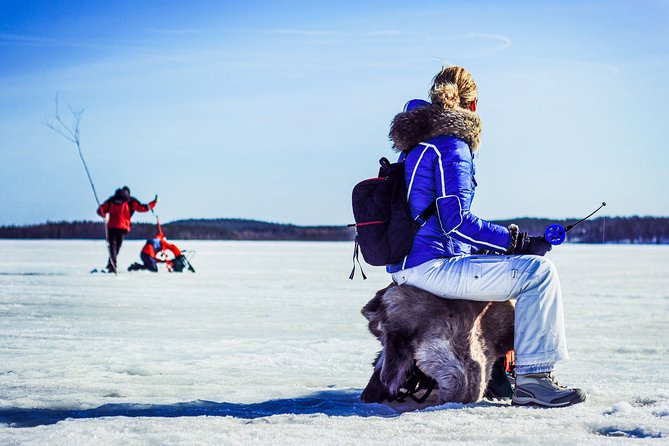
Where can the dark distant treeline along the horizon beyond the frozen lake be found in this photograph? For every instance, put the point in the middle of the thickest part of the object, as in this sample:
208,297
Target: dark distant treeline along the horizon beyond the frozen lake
654,230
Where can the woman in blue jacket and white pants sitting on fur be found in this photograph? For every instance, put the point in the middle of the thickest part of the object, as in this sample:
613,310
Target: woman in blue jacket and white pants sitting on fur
438,141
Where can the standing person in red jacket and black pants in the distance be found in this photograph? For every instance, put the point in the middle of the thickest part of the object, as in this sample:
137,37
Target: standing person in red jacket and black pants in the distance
117,212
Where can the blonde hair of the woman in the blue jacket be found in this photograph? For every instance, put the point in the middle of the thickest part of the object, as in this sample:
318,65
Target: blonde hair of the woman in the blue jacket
453,87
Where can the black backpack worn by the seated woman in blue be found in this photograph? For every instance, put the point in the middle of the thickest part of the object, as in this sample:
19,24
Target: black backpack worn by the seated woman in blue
384,227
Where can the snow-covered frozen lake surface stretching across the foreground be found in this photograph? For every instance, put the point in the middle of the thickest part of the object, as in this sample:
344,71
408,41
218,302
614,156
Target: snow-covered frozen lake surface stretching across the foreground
265,344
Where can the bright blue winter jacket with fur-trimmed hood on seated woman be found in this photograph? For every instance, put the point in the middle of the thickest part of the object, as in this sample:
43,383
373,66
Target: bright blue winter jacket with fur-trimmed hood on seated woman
441,167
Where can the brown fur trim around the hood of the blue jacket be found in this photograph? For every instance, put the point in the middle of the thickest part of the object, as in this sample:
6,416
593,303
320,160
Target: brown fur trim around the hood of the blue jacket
423,123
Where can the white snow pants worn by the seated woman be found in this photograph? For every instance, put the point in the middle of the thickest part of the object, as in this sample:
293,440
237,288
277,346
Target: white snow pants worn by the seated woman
531,280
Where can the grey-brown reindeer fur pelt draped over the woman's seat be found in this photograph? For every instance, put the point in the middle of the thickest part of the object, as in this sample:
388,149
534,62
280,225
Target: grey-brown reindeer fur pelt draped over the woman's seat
454,342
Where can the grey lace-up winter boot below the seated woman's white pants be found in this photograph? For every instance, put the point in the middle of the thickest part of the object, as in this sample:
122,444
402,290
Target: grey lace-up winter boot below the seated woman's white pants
541,389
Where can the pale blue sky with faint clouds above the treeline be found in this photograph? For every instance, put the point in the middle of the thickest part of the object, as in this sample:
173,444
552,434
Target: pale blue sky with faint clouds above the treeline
273,110
